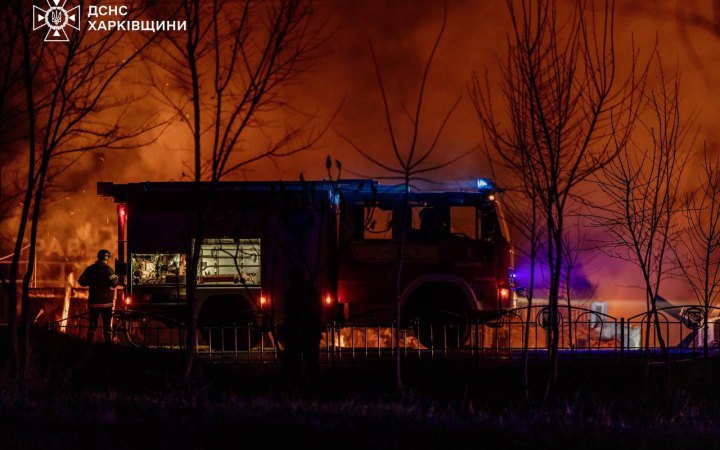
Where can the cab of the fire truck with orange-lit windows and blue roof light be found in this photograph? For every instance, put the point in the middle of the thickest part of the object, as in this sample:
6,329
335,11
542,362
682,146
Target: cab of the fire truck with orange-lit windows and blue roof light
457,259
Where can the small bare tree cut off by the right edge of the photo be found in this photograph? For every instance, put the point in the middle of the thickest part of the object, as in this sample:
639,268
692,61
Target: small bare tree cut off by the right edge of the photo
698,252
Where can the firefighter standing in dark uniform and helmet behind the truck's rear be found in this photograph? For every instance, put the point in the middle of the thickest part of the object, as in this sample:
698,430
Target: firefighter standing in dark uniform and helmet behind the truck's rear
101,280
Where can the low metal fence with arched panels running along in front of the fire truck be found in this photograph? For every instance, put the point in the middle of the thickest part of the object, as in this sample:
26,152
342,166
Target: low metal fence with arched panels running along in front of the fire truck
582,332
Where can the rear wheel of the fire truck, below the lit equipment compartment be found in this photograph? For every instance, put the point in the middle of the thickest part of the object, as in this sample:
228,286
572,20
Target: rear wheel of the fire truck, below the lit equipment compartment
227,323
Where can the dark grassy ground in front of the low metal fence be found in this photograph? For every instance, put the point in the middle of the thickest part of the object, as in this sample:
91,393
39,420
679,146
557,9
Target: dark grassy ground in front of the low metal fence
84,396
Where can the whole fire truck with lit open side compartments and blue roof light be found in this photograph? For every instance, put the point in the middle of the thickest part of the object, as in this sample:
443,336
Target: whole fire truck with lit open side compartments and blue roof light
445,256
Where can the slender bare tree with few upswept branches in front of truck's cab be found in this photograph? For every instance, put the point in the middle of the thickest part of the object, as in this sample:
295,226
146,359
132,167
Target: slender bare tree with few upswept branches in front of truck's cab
410,165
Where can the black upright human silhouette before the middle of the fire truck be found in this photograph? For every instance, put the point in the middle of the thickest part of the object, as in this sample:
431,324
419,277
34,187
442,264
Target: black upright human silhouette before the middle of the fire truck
301,330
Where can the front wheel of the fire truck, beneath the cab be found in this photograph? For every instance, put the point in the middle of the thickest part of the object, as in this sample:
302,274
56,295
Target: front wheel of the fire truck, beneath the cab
437,315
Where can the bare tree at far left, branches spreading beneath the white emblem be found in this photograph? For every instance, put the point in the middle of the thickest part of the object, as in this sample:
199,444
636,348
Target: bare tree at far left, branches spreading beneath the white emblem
70,109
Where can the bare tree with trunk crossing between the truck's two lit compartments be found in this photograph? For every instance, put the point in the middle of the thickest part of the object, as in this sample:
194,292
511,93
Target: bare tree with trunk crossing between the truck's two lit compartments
228,75
